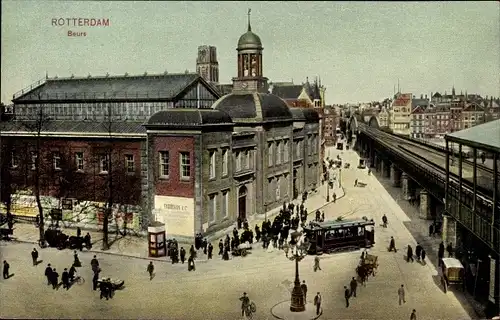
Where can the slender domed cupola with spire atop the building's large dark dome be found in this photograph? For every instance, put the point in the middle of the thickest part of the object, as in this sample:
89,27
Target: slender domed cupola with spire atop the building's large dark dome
250,77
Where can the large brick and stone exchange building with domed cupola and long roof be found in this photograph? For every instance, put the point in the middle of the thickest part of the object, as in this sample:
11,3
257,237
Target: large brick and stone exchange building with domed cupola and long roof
173,151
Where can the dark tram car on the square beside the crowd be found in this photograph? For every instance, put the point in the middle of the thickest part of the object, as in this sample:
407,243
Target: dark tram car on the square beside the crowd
335,236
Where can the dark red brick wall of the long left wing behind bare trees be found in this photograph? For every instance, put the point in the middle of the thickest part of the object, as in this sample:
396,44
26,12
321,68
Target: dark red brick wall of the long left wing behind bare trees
68,182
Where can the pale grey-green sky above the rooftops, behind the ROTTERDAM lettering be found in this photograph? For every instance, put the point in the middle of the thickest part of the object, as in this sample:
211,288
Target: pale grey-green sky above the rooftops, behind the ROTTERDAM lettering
358,49
